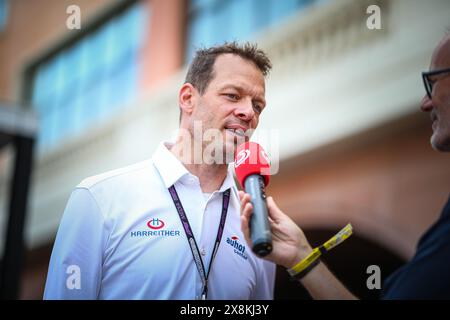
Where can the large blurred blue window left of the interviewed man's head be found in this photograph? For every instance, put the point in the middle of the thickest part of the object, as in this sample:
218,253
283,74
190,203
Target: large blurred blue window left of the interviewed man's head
88,80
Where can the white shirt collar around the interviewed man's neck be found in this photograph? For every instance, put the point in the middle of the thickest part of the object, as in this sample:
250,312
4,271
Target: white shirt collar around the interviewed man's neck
172,170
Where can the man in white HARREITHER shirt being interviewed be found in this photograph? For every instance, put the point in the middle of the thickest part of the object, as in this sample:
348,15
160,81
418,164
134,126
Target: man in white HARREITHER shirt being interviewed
169,227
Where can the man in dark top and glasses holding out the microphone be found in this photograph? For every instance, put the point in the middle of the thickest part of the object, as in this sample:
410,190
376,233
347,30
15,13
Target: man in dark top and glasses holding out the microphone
426,276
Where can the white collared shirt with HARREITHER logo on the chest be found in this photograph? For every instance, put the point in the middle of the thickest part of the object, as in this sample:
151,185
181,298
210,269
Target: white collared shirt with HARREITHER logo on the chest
121,238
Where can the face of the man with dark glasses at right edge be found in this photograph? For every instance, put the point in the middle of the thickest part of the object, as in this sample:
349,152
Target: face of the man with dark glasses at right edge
439,104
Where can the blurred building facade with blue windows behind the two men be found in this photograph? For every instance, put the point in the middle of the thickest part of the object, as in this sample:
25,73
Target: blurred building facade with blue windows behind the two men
342,110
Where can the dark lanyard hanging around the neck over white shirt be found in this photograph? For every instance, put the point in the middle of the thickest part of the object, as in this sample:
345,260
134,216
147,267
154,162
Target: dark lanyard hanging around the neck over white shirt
190,236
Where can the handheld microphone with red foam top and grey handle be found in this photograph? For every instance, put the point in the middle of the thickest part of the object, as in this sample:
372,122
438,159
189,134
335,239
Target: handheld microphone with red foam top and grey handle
252,166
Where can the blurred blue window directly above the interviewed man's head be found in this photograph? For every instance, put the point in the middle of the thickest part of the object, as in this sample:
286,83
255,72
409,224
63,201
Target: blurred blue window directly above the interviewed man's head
215,21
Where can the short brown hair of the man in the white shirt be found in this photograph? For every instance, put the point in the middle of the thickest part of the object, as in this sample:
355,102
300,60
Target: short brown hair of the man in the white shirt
200,71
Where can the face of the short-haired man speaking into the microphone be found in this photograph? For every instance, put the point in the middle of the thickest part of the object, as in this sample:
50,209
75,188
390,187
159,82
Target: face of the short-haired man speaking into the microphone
233,100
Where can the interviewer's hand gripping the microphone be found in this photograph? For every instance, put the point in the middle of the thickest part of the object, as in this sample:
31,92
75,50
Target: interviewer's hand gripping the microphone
288,240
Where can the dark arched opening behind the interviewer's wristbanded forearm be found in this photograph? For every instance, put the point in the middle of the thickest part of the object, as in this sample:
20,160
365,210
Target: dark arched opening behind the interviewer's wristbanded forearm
348,261
